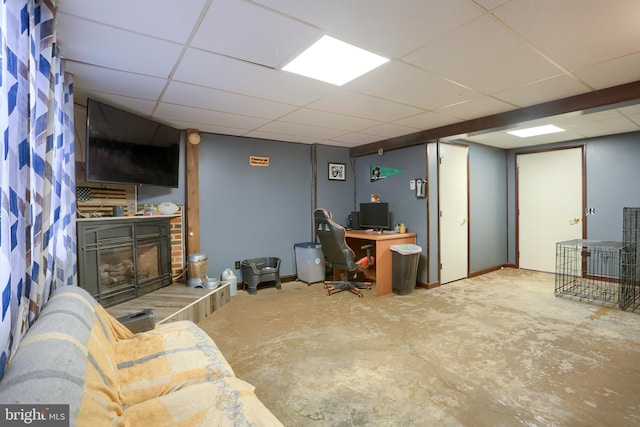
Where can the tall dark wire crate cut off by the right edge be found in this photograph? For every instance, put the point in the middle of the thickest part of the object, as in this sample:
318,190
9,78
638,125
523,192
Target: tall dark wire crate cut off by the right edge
630,261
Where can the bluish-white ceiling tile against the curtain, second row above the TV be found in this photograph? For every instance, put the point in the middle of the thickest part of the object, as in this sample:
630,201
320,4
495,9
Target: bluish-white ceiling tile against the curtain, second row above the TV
114,82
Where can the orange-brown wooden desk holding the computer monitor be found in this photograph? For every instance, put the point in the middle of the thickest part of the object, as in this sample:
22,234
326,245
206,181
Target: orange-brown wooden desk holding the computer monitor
382,253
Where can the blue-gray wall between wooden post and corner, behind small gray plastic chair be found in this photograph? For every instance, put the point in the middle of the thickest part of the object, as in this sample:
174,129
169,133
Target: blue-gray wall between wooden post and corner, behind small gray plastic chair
253,212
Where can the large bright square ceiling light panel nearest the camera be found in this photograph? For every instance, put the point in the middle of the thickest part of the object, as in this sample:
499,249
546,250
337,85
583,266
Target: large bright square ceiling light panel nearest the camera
334,61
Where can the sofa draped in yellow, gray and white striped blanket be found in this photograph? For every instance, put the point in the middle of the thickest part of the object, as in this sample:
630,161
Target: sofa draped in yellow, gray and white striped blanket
76,353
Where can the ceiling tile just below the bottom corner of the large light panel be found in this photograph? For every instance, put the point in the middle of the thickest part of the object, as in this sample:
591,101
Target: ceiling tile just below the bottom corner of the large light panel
368,107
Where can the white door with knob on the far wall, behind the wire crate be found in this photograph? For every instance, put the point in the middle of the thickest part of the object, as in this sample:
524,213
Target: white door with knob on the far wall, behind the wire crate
549,205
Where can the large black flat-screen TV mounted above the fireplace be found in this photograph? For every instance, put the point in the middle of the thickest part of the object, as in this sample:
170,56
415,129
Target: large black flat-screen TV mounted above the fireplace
125,148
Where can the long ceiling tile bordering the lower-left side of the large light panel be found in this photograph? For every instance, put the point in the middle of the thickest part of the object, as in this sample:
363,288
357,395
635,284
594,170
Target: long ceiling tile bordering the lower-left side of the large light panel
210,70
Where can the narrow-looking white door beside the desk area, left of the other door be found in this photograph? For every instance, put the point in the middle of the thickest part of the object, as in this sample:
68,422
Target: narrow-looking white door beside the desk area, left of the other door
454,212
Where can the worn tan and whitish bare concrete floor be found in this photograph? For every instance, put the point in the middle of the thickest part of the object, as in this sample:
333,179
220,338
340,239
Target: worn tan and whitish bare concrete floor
495,350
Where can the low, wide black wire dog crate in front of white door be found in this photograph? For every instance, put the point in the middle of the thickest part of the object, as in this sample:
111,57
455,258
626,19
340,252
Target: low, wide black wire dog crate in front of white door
589,270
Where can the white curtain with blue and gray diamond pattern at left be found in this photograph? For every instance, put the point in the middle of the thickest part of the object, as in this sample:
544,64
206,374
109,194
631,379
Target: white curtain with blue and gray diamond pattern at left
37,176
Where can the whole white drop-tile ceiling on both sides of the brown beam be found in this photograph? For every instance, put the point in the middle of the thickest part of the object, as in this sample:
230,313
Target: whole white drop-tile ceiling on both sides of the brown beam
214,65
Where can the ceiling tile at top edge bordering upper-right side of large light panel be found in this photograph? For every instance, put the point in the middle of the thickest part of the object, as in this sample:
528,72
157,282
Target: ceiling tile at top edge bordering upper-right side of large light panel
391,28
